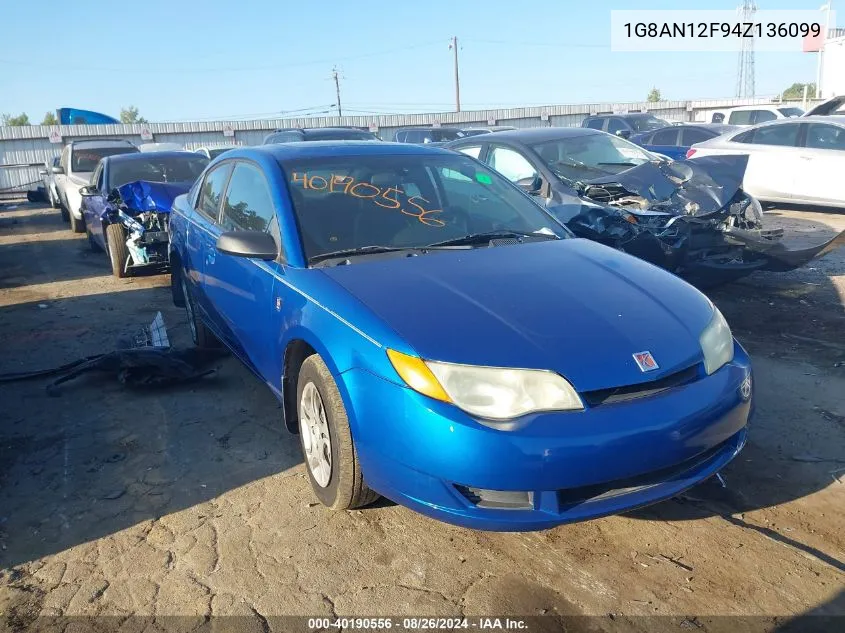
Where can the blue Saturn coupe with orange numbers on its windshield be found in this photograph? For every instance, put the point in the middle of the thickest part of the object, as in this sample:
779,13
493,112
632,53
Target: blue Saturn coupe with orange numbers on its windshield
436,337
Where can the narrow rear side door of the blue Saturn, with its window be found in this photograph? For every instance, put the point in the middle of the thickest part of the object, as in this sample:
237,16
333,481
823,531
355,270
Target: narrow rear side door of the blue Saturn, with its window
201,242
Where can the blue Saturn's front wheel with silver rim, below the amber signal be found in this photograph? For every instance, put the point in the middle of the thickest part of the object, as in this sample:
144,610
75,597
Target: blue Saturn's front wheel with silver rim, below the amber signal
326,440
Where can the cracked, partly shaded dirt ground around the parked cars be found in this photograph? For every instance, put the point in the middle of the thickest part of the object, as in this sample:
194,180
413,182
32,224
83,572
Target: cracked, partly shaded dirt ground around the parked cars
194,501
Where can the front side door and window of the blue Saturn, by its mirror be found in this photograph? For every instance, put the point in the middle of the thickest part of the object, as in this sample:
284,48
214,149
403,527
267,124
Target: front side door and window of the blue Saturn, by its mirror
240,288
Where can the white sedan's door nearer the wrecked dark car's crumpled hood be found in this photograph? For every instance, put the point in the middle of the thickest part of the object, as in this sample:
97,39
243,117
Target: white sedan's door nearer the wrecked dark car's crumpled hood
773,162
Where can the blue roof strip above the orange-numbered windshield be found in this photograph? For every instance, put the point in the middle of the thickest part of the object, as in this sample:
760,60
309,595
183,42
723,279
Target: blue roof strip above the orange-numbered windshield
330,149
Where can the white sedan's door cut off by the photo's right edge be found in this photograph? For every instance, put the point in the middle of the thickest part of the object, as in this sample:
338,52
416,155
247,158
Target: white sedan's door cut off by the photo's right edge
821,171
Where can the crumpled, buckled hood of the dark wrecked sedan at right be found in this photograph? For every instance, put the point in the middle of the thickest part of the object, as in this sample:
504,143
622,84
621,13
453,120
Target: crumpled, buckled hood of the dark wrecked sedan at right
704,185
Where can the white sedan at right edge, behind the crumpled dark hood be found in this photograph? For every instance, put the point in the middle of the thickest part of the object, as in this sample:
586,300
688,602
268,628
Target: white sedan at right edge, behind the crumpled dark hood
789,160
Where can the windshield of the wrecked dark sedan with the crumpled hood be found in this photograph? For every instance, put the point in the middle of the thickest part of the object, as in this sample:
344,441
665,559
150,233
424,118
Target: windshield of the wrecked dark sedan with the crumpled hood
590,155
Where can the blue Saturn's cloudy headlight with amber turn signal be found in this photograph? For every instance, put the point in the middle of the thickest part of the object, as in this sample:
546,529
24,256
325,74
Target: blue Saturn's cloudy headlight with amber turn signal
496,393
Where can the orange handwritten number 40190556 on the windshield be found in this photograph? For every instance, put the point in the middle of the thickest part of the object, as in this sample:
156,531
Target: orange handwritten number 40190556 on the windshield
387,198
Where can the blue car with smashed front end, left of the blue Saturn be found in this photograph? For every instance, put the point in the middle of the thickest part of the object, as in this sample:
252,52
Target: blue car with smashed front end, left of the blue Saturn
126,207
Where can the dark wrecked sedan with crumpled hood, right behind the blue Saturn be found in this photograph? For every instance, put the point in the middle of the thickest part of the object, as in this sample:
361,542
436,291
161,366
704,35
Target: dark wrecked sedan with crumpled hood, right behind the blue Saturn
689,217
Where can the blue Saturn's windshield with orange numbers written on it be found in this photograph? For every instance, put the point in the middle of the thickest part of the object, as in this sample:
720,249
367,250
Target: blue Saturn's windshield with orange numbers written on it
405,201
